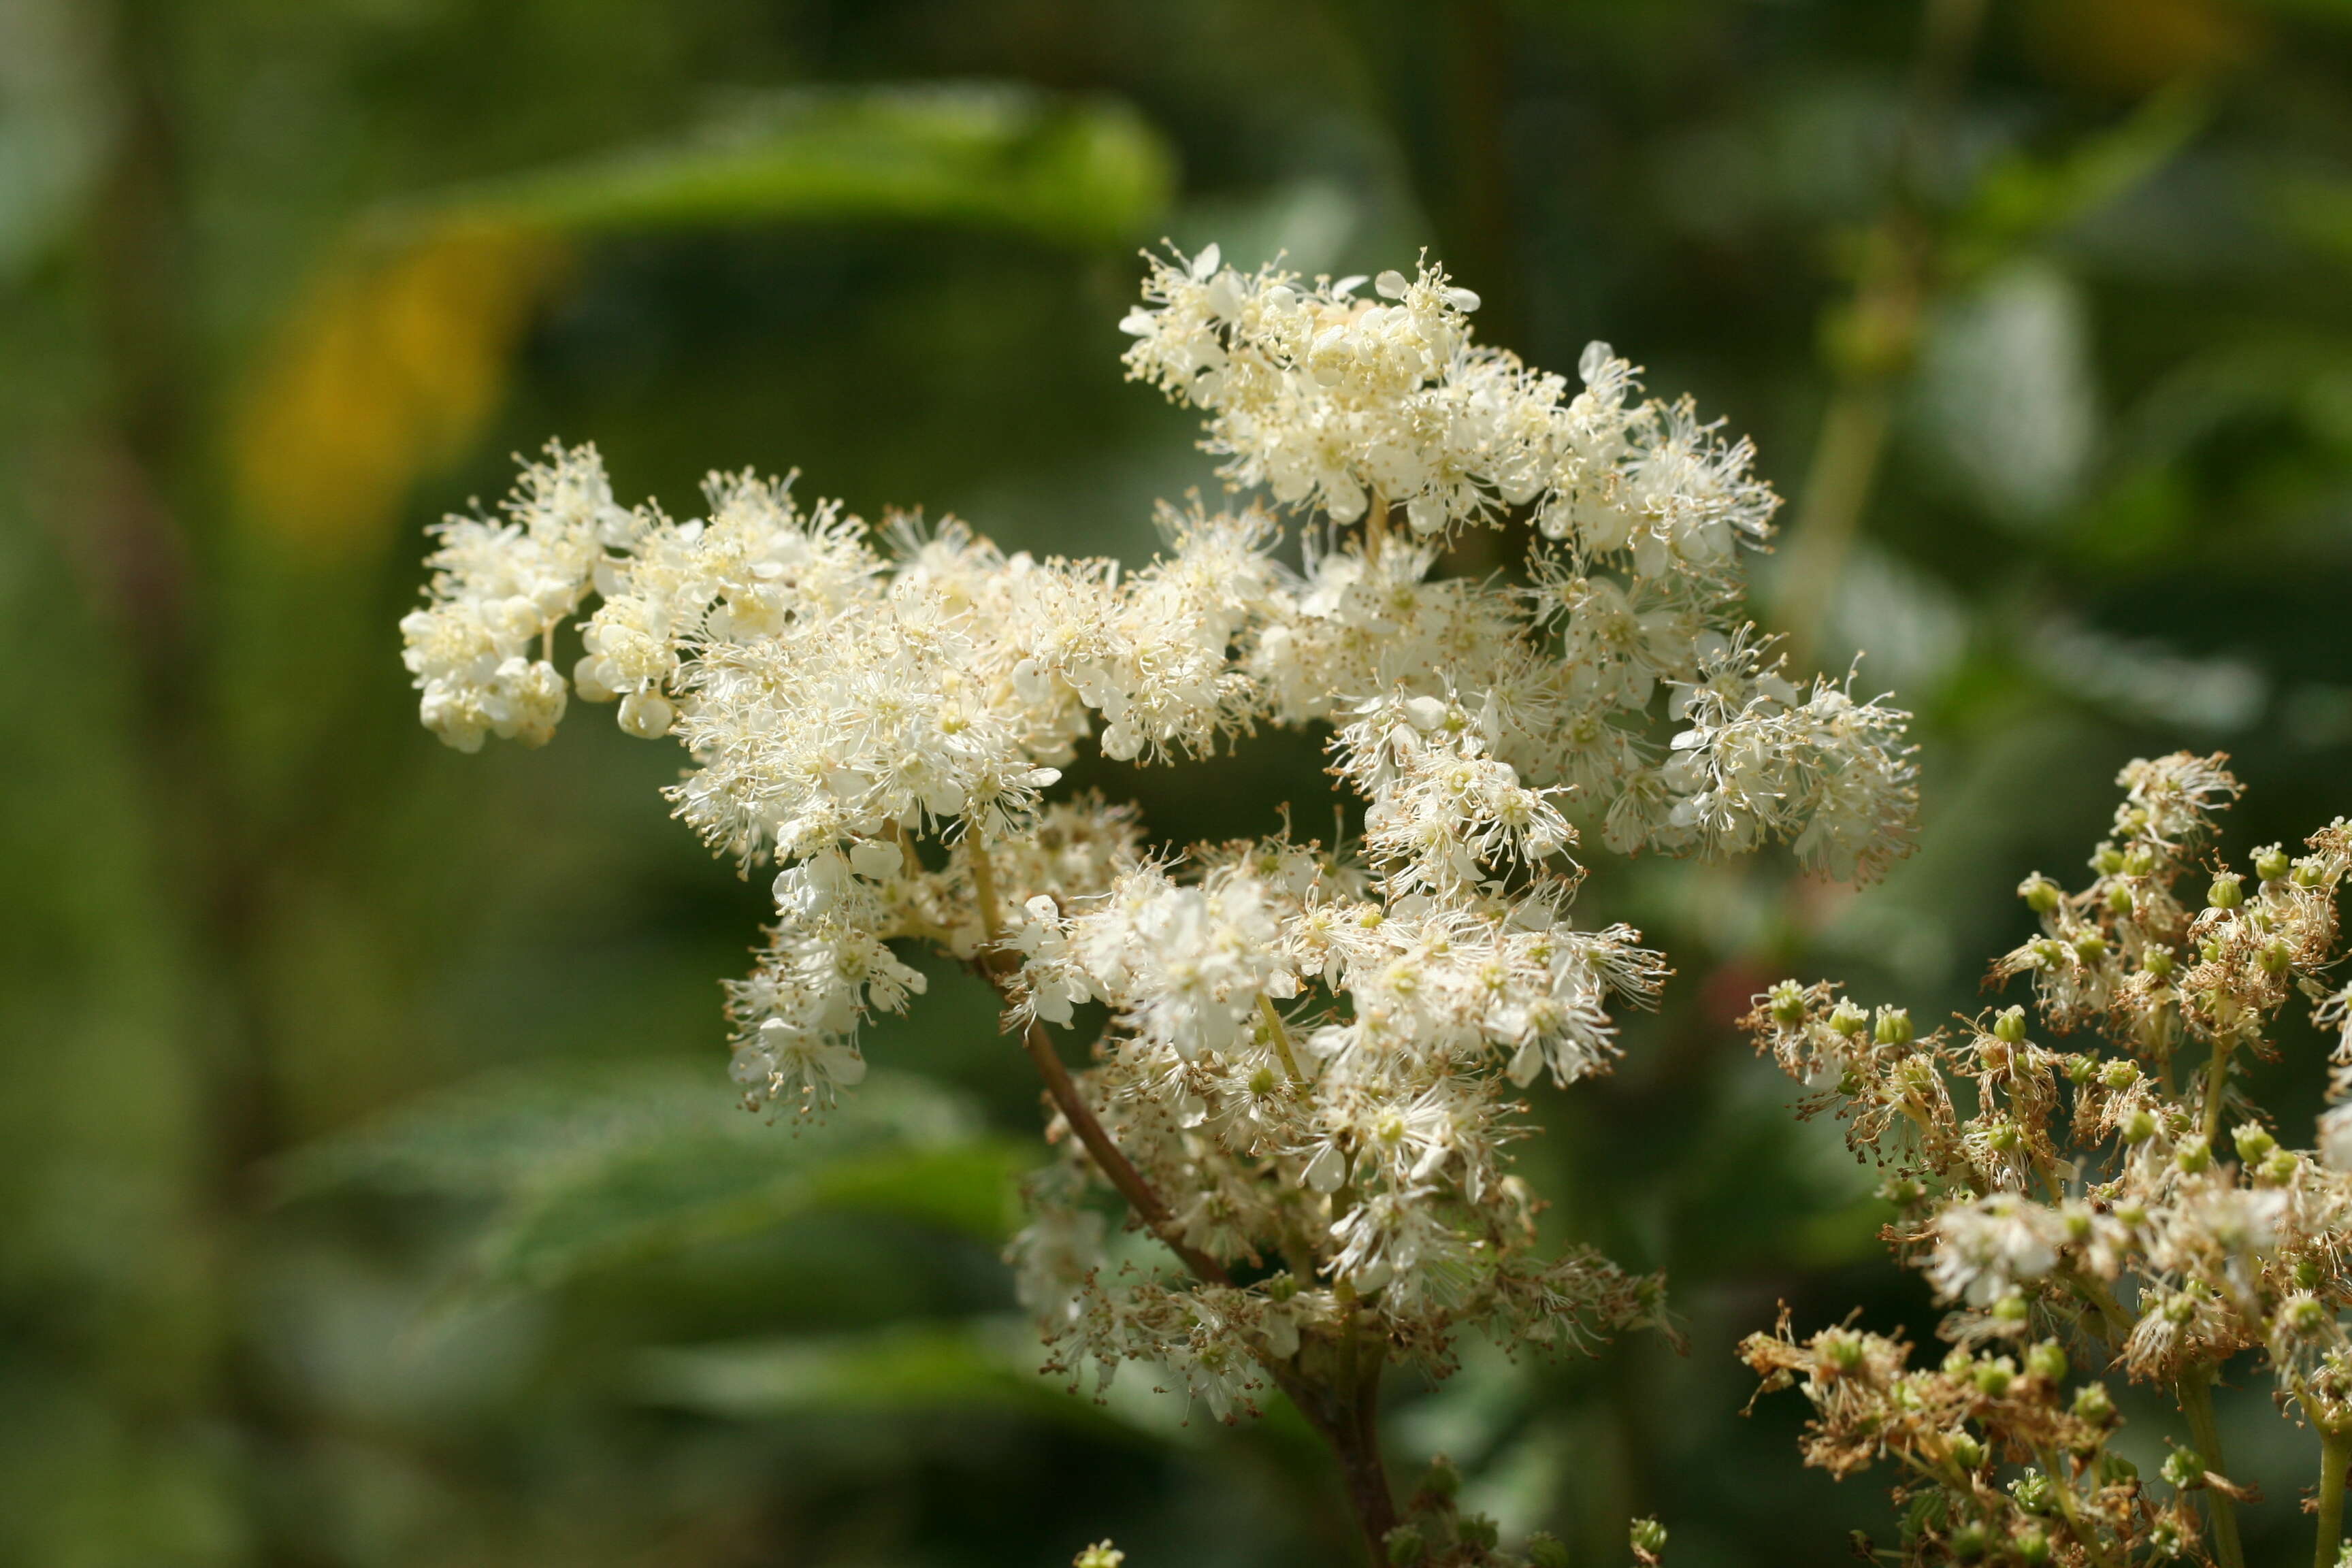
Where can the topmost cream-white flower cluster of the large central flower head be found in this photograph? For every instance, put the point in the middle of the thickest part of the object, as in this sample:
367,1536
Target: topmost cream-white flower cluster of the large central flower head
1342,403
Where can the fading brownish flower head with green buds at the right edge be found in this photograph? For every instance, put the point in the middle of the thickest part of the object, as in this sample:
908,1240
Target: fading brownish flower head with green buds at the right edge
2118,1200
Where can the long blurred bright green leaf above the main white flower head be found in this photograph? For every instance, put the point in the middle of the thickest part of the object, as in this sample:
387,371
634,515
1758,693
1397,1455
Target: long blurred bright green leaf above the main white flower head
1085,170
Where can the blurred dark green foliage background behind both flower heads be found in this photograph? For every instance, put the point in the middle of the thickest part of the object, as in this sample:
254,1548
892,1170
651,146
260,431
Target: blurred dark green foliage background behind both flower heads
370,1184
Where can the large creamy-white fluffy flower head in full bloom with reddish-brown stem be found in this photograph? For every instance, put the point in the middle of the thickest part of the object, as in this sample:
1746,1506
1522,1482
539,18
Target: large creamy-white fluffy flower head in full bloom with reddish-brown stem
1311,1054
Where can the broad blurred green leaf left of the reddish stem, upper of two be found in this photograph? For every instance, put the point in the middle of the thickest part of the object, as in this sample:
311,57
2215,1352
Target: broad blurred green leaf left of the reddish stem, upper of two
601,1167
